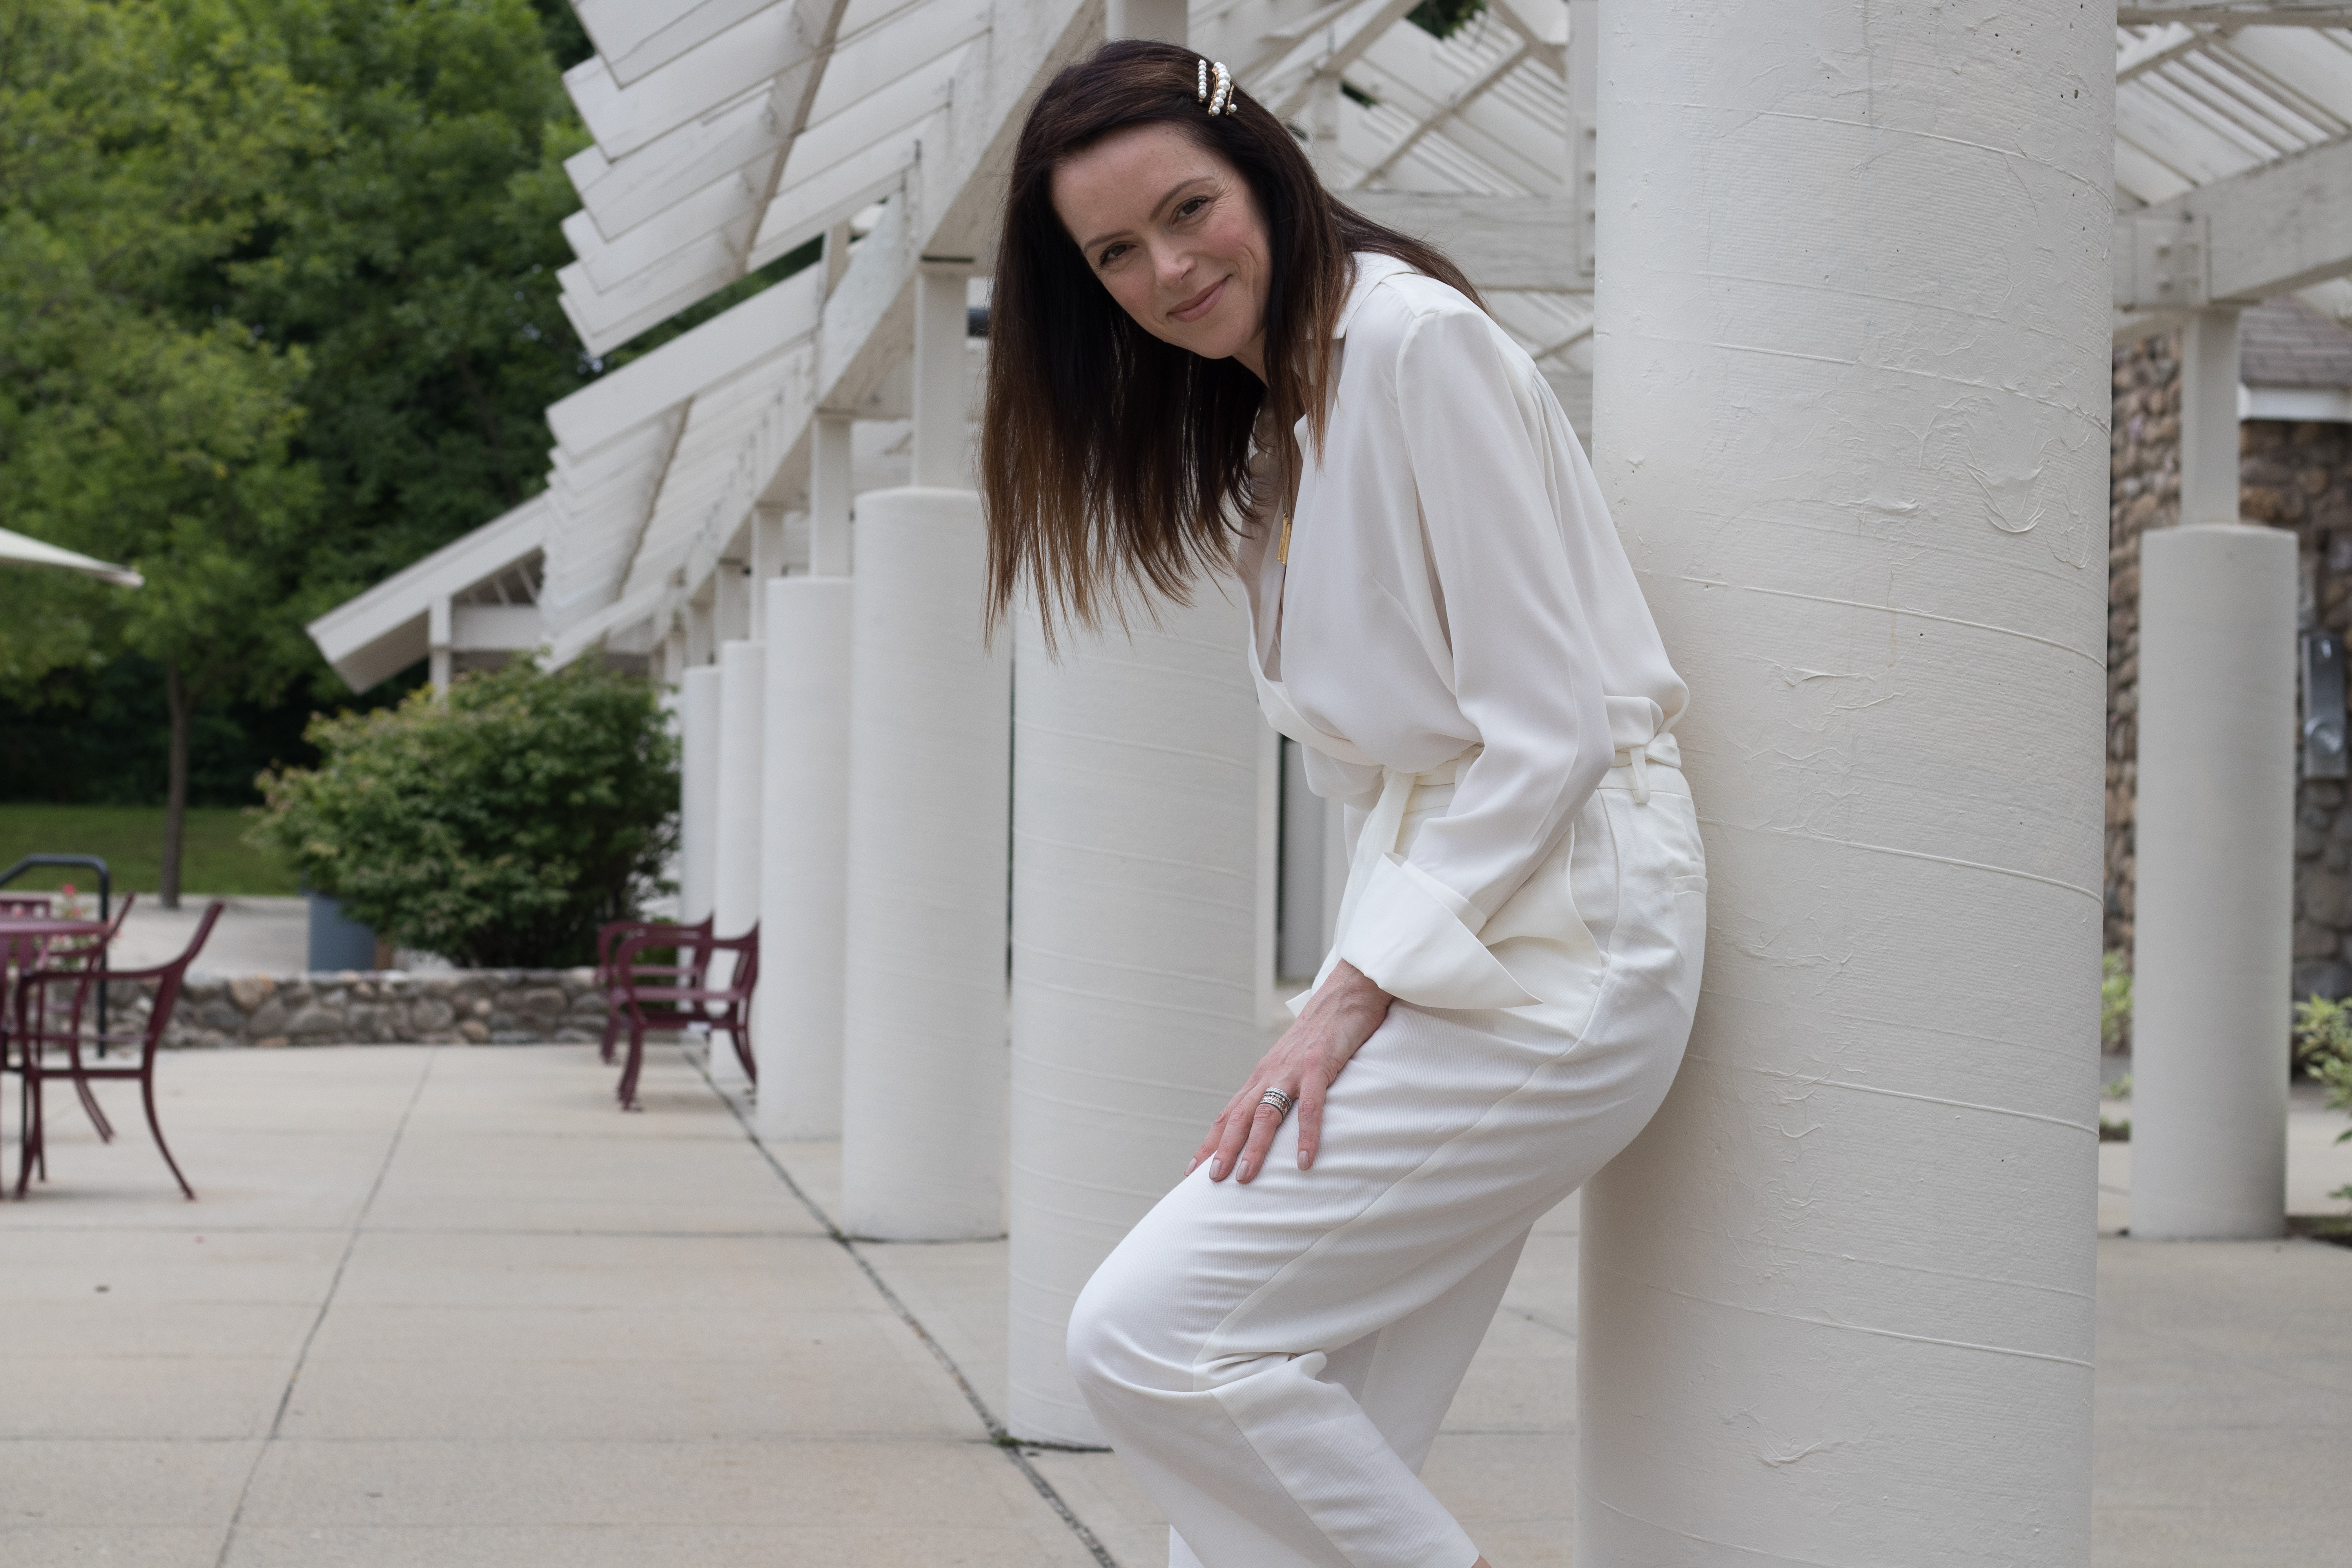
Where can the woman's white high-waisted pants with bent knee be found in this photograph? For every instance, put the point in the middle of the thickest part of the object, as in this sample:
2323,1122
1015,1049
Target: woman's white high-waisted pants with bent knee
1274,1360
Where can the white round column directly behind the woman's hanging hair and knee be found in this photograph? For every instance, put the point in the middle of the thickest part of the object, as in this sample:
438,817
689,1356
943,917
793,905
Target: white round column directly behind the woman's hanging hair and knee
1135,951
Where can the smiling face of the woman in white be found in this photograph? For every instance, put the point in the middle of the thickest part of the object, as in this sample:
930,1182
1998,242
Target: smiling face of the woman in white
1175,234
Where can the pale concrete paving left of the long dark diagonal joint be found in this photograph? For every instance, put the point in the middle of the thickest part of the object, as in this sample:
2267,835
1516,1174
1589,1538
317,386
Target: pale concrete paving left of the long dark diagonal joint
453,1308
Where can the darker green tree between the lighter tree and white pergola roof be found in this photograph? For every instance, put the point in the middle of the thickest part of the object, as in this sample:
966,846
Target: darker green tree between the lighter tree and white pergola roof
415,257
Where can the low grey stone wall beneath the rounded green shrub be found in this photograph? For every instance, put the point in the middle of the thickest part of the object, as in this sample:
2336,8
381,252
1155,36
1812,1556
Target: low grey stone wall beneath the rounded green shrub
472,1007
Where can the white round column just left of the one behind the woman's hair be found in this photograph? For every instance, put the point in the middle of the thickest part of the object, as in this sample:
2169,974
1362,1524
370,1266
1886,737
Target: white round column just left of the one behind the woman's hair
930,732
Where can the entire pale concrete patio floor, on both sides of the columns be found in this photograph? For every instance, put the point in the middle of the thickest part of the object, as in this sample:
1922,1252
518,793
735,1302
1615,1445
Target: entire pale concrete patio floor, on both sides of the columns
448,1308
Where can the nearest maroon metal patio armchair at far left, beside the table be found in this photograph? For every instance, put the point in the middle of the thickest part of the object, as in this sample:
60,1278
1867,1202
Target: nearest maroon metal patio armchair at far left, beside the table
58,1024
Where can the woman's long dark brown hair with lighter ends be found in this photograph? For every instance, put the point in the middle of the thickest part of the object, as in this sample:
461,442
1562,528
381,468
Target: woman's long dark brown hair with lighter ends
1109,457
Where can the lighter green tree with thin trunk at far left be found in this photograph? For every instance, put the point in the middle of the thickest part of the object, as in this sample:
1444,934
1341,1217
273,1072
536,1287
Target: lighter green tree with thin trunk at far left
140,149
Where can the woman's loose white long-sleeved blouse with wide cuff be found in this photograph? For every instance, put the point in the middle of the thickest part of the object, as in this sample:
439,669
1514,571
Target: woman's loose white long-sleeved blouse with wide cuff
1452,584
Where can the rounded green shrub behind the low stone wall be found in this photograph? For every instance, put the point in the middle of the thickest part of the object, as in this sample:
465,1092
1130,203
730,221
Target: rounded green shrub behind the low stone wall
497,826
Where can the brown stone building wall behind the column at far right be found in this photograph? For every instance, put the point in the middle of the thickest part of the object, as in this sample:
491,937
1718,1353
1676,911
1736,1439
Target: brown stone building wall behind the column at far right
2292,476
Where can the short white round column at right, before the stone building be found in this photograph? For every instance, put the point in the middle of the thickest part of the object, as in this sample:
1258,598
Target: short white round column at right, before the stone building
2217,859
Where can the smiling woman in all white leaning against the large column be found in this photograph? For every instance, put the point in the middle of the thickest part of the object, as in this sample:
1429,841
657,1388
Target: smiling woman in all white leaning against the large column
1203,363
